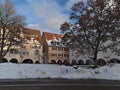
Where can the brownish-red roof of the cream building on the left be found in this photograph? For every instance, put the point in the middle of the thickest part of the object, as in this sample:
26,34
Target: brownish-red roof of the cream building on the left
32,33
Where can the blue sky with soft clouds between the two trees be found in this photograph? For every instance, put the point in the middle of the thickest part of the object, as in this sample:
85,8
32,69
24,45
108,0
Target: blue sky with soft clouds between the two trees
45,15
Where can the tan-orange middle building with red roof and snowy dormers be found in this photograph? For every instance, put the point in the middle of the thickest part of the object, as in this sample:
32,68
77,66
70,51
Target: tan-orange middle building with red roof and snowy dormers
55,51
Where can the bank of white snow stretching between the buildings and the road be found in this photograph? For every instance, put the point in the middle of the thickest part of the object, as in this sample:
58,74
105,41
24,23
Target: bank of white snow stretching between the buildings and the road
23,71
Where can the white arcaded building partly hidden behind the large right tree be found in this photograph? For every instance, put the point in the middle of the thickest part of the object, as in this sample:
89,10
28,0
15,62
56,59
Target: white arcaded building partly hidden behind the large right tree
109,55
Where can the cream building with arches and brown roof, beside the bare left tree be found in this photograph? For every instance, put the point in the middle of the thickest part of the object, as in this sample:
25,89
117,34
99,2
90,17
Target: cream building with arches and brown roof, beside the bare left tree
30,50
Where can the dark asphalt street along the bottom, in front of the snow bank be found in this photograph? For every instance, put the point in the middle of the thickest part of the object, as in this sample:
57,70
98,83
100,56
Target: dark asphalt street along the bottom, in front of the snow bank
59,84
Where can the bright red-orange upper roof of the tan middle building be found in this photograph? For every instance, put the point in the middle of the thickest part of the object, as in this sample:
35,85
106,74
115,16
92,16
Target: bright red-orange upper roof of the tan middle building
49,36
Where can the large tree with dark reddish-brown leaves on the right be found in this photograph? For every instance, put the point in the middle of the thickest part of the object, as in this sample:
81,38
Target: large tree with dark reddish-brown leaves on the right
93,24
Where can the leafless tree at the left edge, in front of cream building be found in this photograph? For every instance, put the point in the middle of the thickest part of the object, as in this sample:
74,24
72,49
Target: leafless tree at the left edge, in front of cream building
10,28
